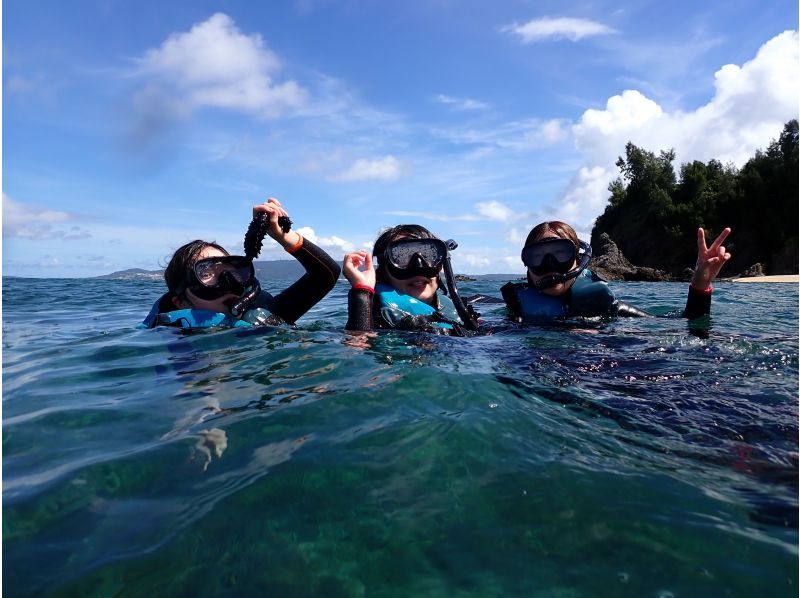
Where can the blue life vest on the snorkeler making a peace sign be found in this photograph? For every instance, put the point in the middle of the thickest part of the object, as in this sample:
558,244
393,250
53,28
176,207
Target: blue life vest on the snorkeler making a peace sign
589,296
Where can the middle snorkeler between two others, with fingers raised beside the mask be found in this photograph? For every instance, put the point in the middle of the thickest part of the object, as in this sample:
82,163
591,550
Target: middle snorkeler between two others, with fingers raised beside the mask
406,291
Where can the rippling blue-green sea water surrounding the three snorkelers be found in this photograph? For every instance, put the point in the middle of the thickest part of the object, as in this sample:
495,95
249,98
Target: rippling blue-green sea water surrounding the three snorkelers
637,457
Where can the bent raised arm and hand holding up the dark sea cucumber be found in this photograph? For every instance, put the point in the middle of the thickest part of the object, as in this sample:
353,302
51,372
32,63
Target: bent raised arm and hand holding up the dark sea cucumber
321,271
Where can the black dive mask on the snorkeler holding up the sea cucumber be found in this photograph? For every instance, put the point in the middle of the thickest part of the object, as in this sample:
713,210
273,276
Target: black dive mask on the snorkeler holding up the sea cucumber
214,277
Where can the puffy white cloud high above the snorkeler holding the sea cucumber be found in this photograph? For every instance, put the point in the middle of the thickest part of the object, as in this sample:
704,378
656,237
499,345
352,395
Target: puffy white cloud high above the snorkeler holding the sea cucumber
215,65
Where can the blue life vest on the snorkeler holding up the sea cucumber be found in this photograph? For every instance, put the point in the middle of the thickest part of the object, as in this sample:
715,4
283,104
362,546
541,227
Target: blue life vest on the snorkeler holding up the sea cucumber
206,318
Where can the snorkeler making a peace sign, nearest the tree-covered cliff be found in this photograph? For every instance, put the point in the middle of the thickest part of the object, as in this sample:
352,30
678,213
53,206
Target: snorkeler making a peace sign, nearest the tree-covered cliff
560,286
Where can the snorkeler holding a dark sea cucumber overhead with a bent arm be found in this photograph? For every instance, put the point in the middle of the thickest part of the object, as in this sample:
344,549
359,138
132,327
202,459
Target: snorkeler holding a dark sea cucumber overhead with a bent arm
209,287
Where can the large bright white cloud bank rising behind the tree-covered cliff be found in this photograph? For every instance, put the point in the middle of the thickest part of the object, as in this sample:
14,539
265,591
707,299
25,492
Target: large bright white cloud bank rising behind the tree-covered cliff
750,105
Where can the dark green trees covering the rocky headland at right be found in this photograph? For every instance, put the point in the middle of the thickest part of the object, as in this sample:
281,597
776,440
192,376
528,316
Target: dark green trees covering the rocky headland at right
653,217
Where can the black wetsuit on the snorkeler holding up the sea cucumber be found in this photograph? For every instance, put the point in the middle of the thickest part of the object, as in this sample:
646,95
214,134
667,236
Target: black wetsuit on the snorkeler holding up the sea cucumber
288,305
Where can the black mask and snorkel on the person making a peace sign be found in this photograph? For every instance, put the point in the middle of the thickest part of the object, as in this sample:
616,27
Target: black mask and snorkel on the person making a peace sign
552,259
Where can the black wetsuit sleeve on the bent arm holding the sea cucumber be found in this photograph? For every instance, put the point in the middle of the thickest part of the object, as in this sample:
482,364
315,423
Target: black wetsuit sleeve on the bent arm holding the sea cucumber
320,277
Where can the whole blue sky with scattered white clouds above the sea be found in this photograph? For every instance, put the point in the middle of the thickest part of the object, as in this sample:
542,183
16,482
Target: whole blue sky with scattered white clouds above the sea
130,128
